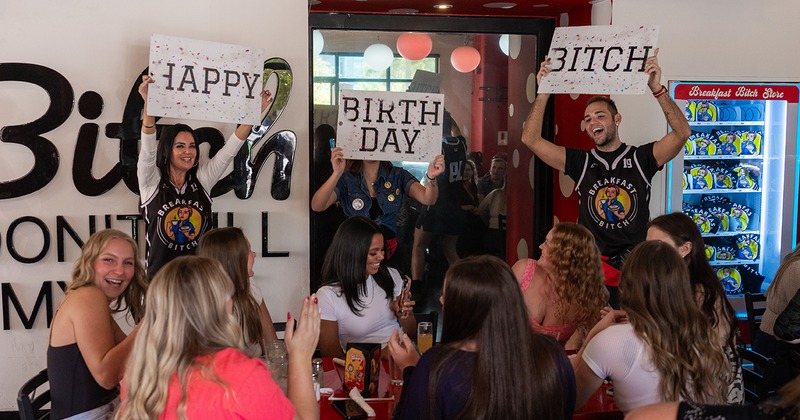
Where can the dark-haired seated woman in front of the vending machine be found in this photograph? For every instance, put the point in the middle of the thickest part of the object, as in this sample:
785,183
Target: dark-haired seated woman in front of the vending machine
679,231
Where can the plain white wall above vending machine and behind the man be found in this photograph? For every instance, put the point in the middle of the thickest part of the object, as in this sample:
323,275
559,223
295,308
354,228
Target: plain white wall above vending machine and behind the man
722,40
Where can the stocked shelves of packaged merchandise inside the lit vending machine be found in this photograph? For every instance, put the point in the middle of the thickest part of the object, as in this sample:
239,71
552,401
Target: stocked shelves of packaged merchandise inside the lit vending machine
723,169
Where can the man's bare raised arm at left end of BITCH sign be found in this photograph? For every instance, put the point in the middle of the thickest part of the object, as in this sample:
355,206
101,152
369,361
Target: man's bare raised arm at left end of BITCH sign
554,156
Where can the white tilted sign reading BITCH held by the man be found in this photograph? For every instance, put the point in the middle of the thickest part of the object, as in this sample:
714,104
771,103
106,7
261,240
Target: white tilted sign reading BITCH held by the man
599,59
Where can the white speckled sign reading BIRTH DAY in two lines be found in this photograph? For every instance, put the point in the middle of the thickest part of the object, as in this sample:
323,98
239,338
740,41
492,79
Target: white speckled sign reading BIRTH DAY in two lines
392,126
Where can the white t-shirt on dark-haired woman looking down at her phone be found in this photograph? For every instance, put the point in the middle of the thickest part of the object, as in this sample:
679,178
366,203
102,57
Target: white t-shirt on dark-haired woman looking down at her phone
377,320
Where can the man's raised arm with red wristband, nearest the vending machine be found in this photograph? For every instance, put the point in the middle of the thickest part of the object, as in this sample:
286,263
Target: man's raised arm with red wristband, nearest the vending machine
670,145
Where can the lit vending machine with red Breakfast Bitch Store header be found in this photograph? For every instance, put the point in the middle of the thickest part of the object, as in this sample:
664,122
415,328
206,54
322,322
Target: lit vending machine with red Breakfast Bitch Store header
737,177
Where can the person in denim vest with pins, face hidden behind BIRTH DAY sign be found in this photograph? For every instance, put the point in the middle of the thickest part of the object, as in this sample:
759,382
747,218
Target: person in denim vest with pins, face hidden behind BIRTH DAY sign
375,190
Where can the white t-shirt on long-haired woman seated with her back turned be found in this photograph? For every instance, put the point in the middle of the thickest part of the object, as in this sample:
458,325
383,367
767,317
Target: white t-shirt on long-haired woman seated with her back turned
619,354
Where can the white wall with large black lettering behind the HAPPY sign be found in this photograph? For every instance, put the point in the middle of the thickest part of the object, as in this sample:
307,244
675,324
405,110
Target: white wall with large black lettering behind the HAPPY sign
102,46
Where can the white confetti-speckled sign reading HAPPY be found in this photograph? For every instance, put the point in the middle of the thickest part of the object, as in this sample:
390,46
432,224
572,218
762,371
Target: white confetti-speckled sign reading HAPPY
206,81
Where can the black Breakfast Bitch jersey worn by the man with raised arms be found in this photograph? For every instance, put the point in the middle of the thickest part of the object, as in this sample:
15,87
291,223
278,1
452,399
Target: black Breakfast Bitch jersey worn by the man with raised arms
614,194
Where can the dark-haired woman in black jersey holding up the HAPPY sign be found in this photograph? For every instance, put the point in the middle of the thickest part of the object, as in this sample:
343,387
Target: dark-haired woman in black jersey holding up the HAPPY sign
174,188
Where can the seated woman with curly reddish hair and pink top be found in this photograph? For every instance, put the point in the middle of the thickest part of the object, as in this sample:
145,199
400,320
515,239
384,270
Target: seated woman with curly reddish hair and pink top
565,290
